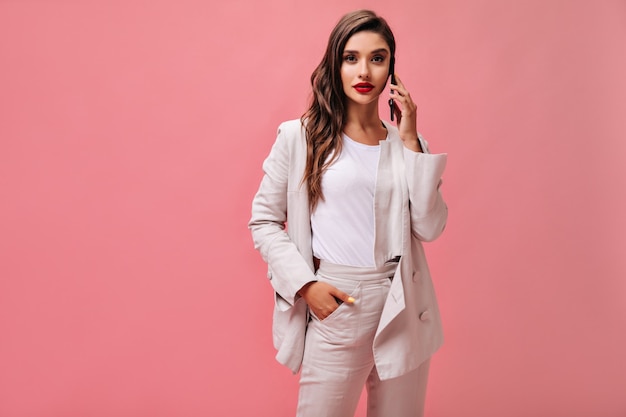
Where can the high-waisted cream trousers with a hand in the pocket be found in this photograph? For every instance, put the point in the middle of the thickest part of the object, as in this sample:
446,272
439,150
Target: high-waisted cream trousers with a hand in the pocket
338,358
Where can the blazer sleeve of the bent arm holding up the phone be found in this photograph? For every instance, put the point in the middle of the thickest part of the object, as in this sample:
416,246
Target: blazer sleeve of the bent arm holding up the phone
429,211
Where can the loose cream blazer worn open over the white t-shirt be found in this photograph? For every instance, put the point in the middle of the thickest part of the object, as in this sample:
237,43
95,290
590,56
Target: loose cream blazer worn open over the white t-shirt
408,209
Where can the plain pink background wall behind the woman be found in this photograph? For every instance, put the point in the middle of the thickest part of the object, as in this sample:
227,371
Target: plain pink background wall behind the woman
131,141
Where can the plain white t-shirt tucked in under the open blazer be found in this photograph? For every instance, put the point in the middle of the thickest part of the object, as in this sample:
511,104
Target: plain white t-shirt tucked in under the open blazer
343,223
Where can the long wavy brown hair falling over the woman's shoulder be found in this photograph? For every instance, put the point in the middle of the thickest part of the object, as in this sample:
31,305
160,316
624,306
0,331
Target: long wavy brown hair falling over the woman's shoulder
325,118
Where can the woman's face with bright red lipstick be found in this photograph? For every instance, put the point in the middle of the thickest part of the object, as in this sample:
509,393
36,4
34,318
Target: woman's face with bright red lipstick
365,67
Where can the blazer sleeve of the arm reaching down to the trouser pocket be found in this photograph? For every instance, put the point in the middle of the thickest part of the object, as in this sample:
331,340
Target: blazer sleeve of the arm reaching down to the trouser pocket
288,271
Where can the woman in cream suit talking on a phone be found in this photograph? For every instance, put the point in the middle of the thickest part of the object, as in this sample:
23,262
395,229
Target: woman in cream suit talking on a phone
355,304
